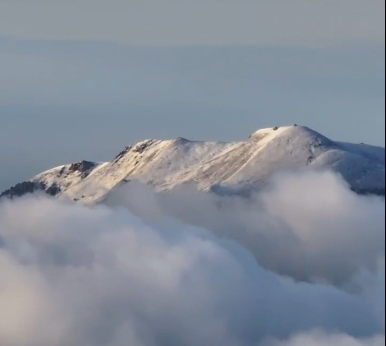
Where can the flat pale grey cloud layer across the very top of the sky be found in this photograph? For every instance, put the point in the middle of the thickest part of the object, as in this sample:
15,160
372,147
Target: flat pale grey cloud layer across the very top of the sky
171,22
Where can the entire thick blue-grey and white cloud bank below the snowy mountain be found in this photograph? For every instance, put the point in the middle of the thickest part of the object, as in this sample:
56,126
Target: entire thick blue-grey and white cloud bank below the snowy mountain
137,275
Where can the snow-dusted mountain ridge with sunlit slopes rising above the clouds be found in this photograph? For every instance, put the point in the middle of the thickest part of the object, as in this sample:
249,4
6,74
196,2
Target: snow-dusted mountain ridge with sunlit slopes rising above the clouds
214,166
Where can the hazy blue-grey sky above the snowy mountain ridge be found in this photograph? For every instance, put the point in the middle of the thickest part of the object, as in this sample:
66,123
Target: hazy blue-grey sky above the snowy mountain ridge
82,79
